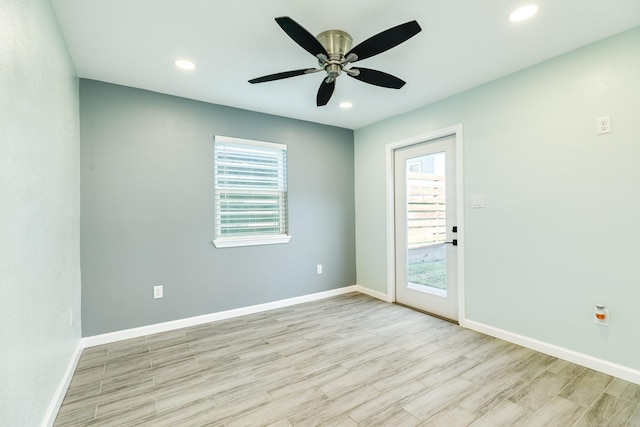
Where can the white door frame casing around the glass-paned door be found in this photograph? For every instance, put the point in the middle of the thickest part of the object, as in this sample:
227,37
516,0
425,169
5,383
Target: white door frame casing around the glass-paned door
454,131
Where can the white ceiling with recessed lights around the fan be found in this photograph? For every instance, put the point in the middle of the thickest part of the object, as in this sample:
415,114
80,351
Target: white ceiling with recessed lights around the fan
463,43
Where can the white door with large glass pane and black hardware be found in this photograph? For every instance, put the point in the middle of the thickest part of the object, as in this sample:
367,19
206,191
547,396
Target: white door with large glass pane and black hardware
426,227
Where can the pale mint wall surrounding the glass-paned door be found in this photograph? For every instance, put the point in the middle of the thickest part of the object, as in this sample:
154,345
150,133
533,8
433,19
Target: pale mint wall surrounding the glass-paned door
560,228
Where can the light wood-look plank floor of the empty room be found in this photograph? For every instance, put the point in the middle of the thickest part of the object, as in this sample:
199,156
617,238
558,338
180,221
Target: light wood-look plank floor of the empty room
344,361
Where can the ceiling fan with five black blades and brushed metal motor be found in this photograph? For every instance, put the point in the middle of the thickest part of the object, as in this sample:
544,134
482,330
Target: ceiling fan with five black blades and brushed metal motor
333,50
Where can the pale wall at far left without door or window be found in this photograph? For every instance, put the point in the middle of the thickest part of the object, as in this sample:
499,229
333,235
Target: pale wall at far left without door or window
39,211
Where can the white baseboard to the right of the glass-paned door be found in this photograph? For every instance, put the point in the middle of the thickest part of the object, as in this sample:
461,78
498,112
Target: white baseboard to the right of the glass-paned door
609,368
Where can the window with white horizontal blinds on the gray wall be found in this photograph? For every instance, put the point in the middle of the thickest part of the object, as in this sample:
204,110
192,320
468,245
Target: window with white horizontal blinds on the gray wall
250,192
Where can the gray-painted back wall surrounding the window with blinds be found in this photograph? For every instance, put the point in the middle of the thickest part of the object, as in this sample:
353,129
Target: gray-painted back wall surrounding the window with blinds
148,210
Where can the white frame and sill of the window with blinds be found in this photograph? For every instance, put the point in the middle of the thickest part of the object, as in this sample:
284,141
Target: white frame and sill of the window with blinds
258,238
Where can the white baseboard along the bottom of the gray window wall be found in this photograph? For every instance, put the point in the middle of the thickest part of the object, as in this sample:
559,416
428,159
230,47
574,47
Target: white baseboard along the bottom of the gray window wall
207,318
